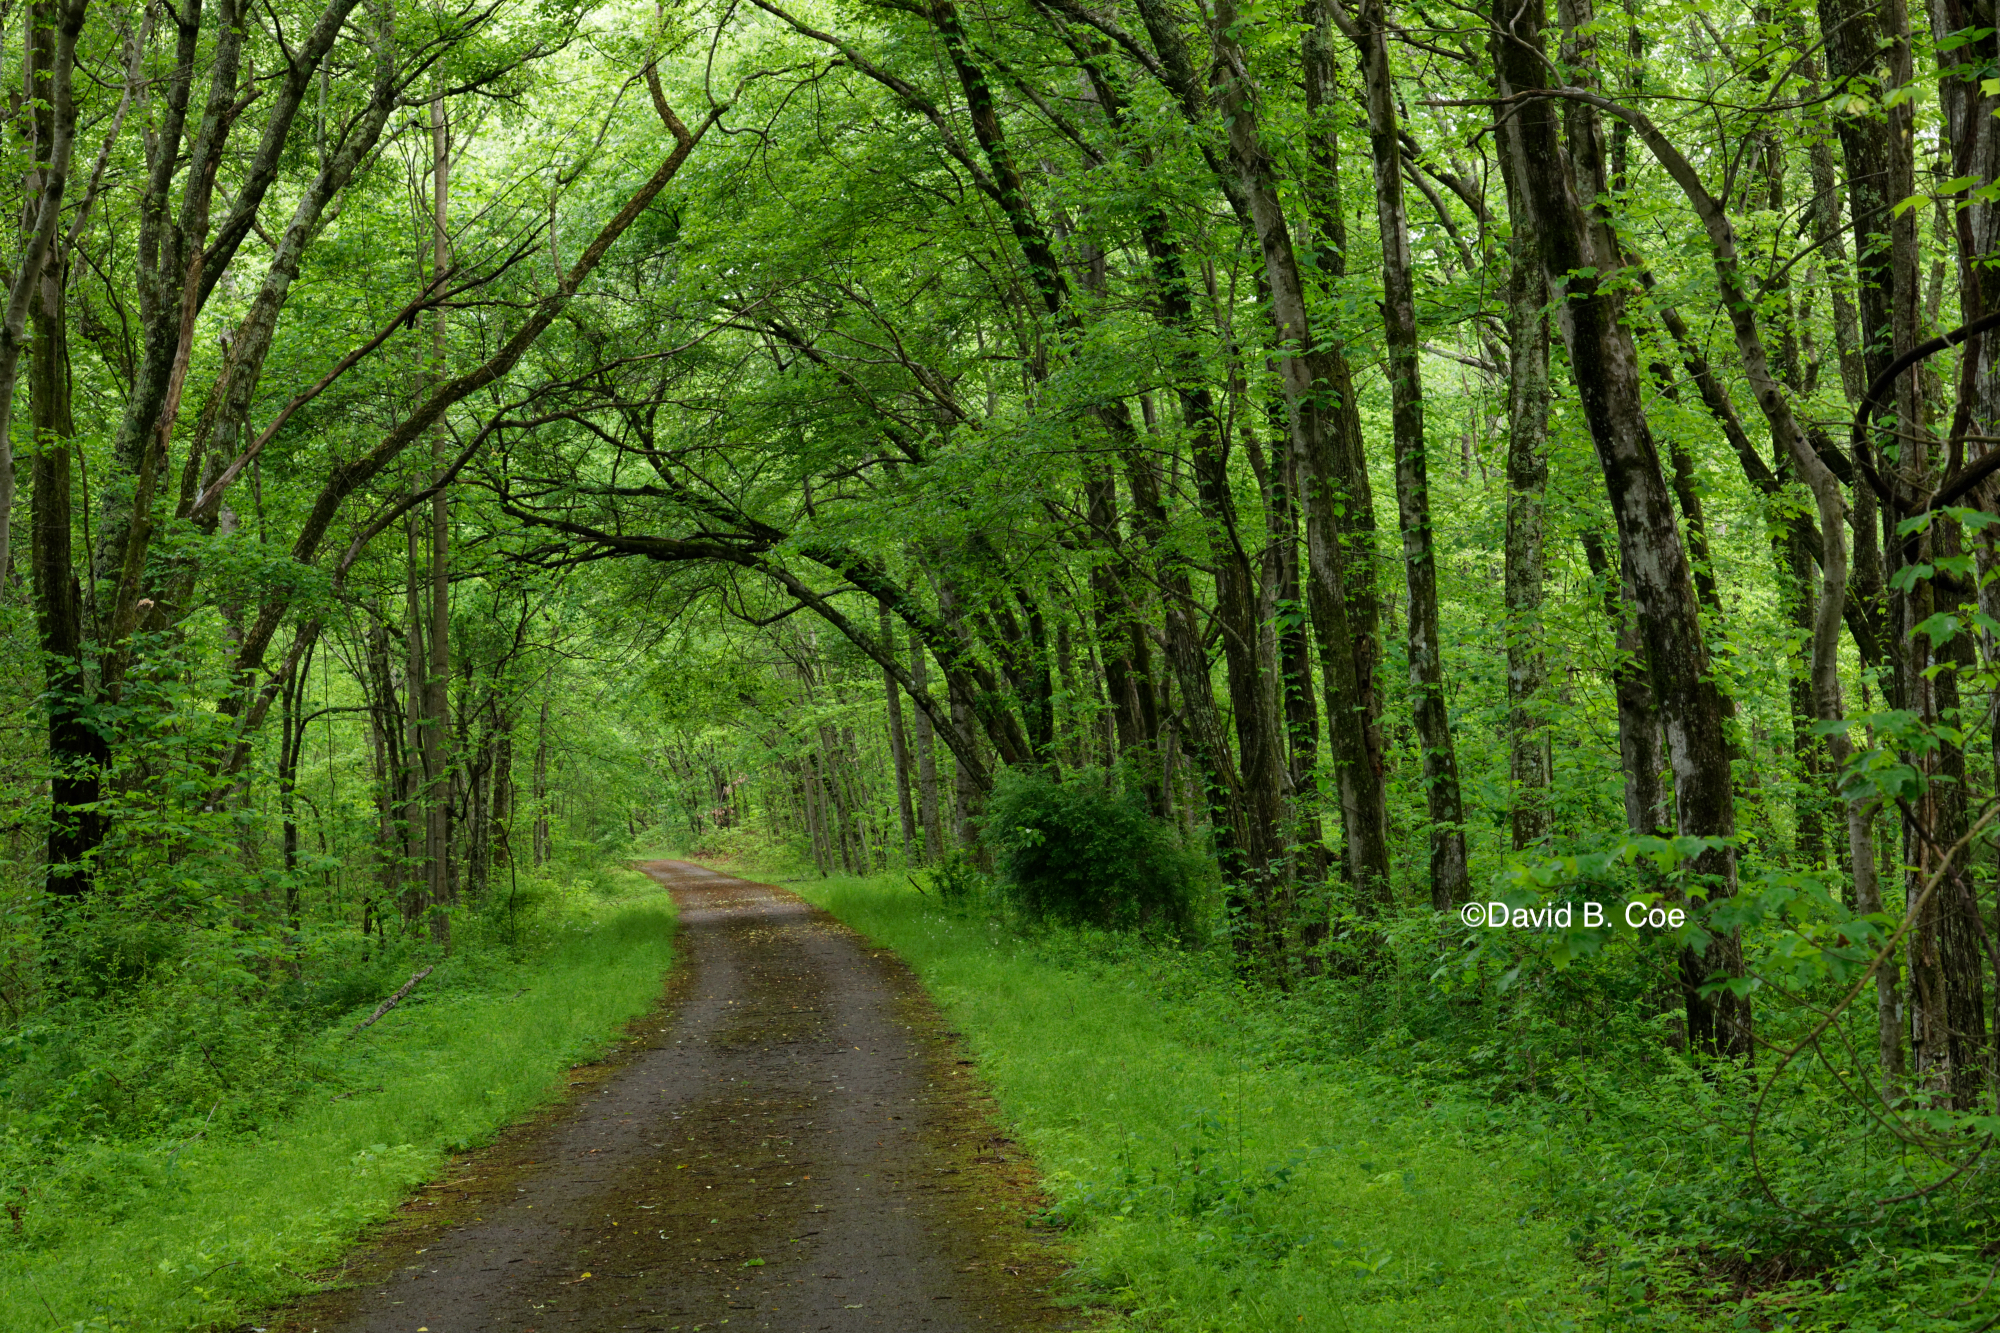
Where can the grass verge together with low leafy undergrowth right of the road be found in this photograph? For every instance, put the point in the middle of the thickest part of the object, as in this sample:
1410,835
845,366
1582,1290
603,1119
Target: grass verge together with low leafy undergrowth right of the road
1225,1150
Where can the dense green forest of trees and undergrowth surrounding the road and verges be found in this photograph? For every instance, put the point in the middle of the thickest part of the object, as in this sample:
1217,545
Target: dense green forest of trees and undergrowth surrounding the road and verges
1291,501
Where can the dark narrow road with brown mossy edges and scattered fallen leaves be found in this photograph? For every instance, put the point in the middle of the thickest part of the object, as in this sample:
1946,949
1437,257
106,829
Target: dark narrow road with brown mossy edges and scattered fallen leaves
791,1142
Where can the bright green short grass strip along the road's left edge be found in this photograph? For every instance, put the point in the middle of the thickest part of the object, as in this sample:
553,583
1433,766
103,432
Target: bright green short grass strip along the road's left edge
203,1232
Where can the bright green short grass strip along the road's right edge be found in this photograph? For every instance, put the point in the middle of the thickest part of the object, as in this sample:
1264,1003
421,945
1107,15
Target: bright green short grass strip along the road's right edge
1207,1190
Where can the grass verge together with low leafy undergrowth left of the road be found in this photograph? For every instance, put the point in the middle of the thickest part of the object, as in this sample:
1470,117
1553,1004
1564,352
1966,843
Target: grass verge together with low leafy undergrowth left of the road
195,1144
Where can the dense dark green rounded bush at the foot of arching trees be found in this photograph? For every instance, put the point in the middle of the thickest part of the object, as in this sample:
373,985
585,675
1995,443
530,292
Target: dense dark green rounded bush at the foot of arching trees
1083,854
